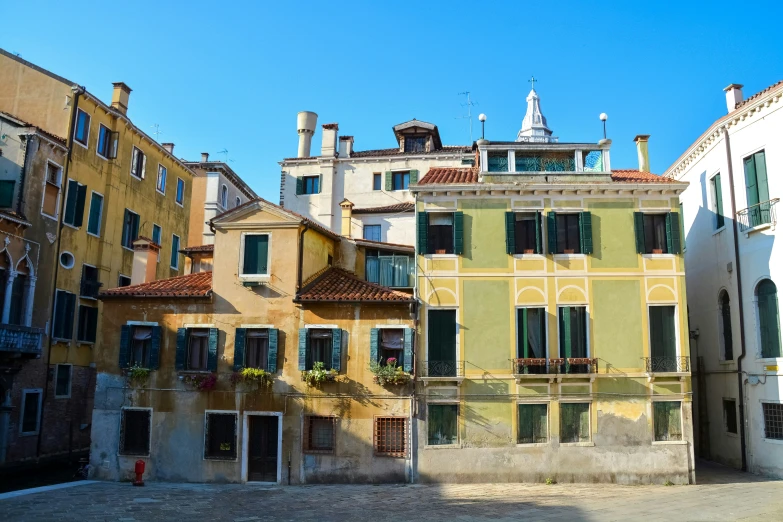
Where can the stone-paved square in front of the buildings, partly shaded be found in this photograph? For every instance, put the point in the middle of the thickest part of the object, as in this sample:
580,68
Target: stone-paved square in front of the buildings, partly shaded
721,495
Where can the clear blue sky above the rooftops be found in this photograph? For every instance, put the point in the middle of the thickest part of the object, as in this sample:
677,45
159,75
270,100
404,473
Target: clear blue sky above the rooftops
232,75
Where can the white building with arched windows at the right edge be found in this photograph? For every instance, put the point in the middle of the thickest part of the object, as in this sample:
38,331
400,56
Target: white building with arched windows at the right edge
734,266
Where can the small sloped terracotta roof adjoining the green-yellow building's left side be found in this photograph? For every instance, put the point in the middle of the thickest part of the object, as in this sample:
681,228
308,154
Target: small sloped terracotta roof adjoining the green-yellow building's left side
337,285
